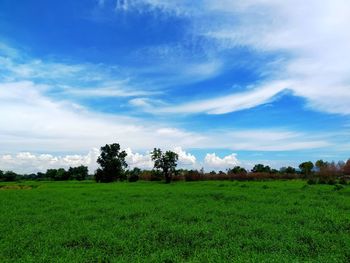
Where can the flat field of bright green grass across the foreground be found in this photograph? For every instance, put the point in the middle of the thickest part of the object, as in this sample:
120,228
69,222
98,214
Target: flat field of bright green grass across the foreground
275,221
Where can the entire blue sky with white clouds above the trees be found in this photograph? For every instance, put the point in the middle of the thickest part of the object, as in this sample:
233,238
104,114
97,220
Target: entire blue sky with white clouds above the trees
220,82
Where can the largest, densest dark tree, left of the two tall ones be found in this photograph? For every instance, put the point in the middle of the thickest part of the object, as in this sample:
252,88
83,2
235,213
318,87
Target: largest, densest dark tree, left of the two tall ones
112,164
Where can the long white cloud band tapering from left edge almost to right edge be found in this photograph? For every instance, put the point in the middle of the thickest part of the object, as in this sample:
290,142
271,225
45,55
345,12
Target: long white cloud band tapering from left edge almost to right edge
32,122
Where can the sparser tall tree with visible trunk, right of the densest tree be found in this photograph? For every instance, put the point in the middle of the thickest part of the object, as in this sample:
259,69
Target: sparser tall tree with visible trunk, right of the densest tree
167,162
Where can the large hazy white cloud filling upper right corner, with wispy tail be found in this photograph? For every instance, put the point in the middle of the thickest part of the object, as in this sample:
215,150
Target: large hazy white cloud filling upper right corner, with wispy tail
312,36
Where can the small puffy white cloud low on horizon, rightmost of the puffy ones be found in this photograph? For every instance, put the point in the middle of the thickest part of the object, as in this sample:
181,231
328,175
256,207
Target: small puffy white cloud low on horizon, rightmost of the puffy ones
212,161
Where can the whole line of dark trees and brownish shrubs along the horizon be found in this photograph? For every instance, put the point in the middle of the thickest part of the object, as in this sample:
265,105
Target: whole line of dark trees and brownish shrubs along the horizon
113,167
